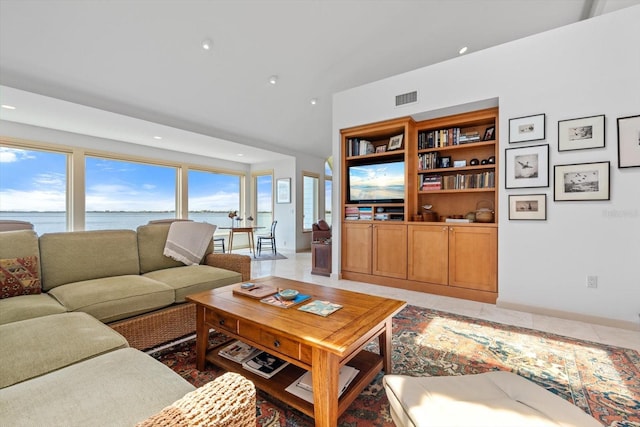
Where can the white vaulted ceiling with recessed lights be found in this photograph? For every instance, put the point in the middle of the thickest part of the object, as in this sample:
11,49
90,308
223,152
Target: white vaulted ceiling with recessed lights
140,66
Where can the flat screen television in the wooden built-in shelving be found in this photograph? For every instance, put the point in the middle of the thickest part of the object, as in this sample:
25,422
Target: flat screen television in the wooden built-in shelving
381,182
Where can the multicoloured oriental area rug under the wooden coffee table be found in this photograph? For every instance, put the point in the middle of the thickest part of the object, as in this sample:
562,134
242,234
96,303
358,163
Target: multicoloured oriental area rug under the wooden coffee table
603,381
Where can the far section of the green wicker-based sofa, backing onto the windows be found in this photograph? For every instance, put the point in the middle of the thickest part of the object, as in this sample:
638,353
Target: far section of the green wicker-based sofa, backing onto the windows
120,277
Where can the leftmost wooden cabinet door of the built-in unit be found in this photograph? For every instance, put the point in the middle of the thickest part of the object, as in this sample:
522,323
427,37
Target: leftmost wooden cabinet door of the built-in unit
356,248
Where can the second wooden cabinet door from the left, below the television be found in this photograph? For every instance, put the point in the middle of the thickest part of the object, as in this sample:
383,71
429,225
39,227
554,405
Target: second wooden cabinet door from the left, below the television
390,250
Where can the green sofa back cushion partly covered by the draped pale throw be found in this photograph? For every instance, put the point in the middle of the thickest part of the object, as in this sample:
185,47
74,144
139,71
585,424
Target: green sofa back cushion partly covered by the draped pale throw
152,239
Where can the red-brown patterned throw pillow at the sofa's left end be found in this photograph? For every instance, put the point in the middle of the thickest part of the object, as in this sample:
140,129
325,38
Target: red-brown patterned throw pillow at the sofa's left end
19,276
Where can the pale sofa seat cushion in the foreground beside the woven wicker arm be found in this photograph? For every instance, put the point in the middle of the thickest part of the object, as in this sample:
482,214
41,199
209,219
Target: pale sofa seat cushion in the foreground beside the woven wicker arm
118,388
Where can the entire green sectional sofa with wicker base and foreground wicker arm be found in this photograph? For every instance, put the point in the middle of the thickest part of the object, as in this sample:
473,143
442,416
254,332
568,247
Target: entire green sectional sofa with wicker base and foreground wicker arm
71,337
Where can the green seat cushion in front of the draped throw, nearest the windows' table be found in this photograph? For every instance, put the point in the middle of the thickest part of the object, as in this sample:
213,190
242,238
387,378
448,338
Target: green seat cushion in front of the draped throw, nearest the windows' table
191,279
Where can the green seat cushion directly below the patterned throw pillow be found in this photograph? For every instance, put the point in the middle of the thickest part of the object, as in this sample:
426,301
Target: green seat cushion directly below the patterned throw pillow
27,307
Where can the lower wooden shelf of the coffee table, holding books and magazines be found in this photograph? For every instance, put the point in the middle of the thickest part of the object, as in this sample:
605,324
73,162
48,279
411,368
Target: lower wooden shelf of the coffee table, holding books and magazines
368,363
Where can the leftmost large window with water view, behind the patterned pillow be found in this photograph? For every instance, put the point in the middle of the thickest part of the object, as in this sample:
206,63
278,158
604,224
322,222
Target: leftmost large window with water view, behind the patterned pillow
33,188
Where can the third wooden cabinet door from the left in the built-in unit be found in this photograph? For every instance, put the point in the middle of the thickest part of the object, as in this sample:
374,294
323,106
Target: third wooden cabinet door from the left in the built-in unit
428,253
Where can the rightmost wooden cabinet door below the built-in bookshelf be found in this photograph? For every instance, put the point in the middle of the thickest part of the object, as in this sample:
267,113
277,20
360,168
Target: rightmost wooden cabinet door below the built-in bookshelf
473,258
